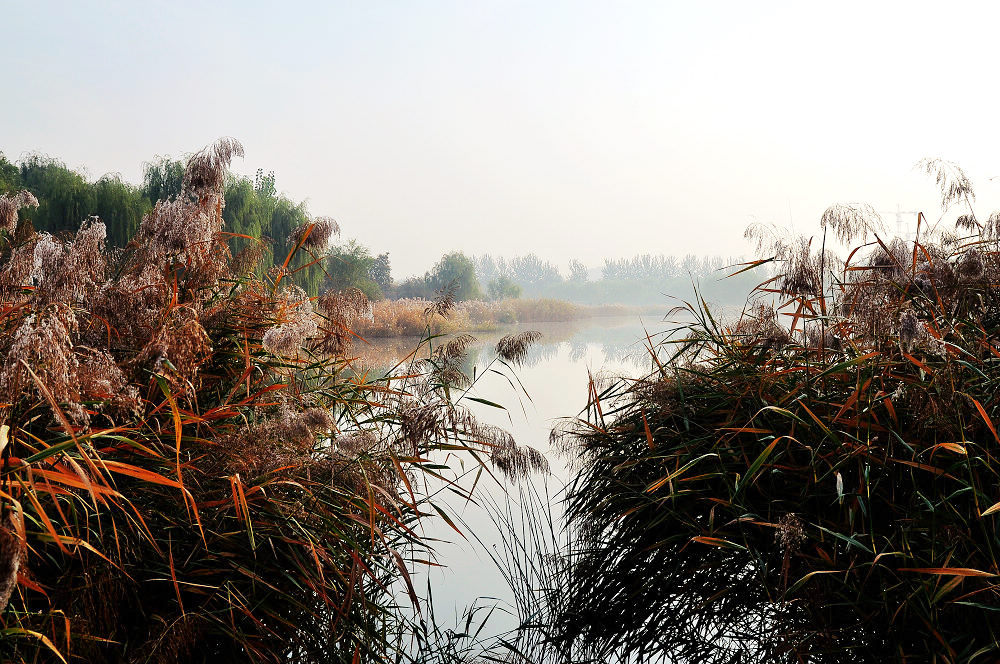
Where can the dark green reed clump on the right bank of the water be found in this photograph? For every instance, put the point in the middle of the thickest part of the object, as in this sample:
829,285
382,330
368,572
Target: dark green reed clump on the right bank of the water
818,482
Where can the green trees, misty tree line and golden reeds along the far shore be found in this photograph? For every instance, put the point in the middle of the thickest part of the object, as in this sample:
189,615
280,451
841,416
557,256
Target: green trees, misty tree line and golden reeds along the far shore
260,222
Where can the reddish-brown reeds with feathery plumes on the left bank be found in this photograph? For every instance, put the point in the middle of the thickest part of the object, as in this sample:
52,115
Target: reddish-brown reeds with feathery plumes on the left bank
191,471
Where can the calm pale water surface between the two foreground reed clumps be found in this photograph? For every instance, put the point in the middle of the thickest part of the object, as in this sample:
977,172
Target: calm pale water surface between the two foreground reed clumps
554,378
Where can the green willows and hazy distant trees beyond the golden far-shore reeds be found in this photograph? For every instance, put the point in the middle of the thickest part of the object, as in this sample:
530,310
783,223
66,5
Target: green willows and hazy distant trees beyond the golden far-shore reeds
257,214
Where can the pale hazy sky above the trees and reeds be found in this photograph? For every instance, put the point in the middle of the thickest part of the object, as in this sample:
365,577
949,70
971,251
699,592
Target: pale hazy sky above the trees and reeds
572,129
